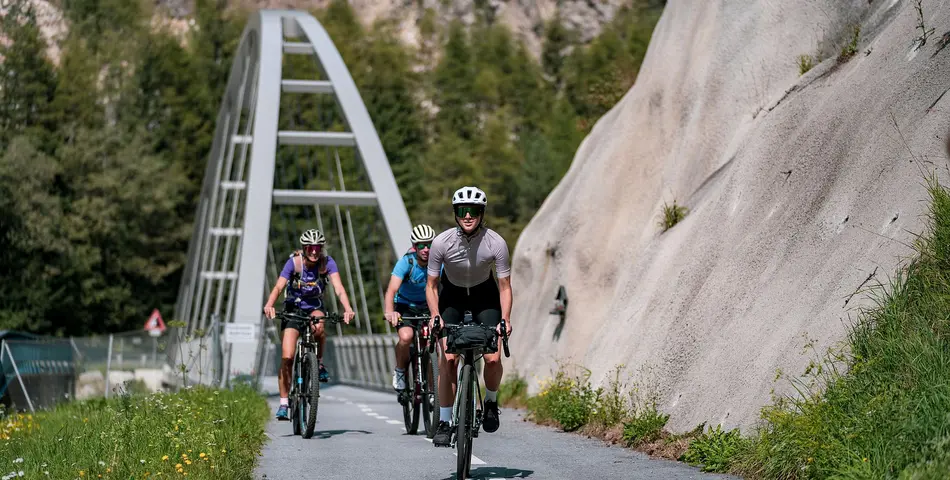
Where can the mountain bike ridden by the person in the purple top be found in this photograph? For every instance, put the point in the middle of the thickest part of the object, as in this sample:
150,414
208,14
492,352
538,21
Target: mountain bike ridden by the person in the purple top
304,395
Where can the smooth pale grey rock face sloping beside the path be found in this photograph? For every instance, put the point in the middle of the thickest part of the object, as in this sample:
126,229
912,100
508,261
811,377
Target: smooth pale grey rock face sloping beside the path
798,188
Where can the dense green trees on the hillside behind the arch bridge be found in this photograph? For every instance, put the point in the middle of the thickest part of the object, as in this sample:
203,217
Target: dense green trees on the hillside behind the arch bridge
102,153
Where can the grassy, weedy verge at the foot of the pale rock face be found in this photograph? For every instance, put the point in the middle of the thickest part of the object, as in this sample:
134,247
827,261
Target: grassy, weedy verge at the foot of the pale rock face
877,408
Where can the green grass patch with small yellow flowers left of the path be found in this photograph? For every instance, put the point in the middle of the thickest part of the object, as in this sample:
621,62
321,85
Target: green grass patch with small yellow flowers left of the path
199,431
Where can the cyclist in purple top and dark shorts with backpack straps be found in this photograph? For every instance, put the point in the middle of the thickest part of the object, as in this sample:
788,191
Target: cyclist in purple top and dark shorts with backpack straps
305,277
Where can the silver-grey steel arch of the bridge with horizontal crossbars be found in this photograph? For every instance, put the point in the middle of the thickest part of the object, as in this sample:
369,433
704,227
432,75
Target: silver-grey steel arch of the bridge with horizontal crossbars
275,170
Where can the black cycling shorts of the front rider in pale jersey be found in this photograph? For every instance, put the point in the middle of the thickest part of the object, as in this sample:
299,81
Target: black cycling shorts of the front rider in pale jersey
482,300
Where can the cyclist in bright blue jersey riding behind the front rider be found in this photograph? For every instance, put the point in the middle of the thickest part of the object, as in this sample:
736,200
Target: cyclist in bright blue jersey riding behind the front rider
406,295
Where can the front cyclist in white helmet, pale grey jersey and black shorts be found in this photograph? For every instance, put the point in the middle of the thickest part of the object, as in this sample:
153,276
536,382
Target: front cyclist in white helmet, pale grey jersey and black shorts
465,256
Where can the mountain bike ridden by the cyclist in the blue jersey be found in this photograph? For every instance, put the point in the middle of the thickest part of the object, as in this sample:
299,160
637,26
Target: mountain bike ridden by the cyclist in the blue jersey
421,380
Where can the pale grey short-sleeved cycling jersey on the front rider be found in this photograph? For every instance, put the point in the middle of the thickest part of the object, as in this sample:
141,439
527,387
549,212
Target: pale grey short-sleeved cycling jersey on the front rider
468,261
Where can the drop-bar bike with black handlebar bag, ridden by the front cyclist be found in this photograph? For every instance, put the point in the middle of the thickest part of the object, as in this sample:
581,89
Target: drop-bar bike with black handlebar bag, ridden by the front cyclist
468,406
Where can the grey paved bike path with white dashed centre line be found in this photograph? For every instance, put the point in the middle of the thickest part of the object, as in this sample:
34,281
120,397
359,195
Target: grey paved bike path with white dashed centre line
360,434
